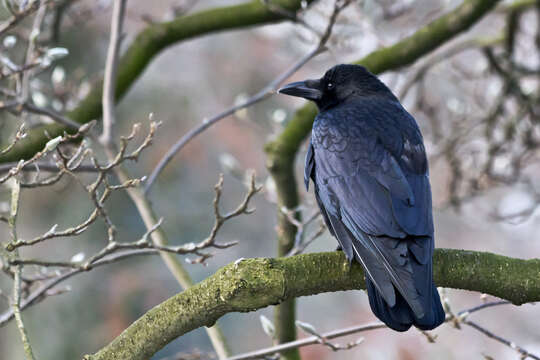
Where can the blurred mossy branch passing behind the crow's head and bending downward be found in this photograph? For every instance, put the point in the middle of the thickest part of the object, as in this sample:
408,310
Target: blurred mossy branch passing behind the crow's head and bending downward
281,154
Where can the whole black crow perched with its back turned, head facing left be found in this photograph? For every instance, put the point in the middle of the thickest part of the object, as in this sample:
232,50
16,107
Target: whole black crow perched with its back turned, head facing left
369,166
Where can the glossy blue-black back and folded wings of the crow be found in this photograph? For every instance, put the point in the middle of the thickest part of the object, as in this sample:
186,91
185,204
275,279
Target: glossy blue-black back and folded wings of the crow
374,193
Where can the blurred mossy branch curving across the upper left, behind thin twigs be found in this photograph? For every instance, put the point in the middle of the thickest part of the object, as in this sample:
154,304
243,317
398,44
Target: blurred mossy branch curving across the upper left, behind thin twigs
144,48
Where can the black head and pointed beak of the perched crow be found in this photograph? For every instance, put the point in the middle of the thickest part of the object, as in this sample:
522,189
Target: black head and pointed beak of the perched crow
338,85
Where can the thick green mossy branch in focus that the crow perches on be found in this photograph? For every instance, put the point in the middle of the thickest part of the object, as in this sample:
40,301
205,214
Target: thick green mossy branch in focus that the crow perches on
256,283
